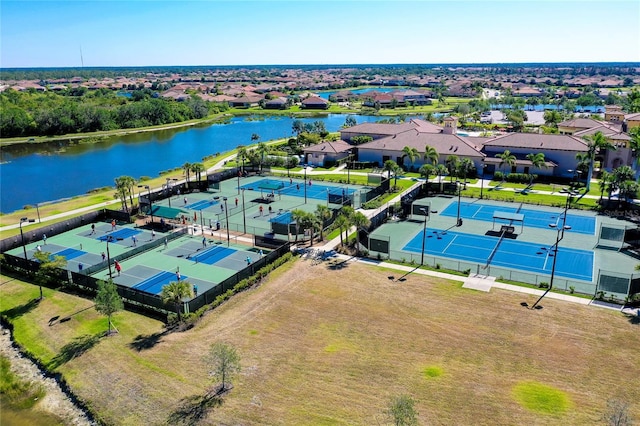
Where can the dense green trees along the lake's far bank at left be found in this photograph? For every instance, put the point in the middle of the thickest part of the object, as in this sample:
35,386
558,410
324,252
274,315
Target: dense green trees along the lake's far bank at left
78,110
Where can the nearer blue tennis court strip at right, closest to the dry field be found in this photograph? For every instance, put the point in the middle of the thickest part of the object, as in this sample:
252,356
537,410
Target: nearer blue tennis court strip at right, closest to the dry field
571,263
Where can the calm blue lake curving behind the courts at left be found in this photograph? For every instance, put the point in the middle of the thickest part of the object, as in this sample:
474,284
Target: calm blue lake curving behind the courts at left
36,174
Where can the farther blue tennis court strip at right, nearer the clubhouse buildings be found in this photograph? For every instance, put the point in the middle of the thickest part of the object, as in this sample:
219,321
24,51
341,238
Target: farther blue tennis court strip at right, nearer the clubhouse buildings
532,218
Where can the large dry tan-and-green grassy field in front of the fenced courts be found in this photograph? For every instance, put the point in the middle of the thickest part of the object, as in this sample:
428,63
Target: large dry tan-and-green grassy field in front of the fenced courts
316,350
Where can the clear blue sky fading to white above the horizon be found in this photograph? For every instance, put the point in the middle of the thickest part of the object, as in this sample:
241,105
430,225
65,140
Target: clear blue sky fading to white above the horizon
141,33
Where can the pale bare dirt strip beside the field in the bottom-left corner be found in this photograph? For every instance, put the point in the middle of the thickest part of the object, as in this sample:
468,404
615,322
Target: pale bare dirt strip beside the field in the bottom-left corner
55,402
